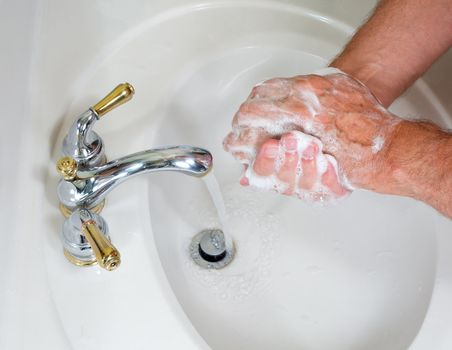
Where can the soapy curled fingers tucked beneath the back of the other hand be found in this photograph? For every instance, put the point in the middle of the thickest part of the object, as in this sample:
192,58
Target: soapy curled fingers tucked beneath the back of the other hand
296,166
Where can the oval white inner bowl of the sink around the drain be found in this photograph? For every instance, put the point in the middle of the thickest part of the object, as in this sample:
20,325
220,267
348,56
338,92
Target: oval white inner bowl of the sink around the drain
361,272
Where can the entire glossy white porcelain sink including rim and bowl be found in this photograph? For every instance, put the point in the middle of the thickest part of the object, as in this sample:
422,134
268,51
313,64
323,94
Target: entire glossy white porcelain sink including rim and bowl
373,272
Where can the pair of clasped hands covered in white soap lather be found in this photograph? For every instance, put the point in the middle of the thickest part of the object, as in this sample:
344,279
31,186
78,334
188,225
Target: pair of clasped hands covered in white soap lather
336,118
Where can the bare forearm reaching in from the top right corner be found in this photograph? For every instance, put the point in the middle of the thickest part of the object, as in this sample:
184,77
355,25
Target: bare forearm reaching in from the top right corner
397,45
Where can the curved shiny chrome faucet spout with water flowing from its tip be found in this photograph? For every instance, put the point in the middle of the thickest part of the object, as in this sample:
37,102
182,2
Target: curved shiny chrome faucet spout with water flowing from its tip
90,186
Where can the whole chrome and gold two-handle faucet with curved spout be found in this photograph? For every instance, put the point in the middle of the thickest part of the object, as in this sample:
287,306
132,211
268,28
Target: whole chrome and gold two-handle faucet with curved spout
87,178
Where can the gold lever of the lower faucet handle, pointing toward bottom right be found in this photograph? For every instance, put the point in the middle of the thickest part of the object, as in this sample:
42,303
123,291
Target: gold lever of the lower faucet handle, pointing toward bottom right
106,254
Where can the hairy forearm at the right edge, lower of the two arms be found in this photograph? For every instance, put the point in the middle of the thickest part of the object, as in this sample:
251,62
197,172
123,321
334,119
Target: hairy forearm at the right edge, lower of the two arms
417,162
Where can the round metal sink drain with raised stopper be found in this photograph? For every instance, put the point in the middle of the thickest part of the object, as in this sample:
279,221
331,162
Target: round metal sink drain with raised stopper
211,249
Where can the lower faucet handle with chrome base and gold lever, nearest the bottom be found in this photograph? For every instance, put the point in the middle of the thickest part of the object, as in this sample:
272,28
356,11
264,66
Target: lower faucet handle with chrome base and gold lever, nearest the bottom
86,241
